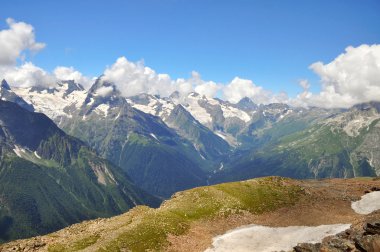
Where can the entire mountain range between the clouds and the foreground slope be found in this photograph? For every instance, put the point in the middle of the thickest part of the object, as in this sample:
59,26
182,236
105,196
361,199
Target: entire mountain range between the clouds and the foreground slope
102,153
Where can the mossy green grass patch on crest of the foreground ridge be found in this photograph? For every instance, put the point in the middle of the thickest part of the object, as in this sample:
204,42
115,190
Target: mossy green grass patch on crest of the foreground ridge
257,196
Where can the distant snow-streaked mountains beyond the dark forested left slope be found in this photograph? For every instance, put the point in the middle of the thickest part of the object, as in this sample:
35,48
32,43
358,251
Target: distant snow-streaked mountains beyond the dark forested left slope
212,135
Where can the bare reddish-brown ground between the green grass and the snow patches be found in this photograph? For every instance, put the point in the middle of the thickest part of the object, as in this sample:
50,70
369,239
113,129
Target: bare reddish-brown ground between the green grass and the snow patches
325,202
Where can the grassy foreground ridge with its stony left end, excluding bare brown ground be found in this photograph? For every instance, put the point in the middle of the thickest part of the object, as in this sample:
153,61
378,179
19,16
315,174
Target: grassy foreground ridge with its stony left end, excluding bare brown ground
144,228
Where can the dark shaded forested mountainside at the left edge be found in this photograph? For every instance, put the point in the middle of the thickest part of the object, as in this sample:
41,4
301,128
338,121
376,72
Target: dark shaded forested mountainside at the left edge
49,180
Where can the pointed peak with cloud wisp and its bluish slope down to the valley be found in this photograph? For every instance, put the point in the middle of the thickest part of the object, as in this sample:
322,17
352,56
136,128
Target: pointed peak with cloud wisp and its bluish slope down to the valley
152,154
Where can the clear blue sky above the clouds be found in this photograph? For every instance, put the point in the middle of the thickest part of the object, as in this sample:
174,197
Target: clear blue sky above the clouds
269,42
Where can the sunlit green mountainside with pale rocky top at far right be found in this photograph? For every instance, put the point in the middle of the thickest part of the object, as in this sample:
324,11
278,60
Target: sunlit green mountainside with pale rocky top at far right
342,145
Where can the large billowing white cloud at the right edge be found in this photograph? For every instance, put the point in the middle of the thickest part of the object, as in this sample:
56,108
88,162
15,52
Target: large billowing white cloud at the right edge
352,77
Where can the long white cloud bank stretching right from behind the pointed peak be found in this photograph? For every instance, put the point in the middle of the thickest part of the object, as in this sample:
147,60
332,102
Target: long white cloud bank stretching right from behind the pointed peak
135,78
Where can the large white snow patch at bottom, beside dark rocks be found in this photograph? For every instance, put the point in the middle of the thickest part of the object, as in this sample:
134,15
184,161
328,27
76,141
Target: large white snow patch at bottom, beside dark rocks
266,239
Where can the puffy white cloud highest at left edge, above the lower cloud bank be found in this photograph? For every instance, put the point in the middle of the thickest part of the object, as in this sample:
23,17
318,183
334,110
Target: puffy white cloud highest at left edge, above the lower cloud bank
13,41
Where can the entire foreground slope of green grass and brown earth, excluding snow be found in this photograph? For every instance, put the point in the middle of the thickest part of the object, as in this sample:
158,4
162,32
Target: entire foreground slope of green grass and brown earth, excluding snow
190,219
